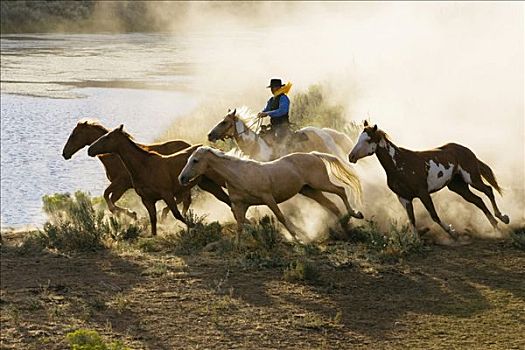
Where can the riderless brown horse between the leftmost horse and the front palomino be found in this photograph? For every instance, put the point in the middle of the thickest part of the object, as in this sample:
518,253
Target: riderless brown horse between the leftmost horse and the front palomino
154,176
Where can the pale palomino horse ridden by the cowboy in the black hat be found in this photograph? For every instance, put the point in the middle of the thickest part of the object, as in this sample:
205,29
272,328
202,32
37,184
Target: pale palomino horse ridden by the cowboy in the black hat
250,143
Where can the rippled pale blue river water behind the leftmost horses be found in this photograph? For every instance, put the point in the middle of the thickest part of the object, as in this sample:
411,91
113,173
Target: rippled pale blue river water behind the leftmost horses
49,82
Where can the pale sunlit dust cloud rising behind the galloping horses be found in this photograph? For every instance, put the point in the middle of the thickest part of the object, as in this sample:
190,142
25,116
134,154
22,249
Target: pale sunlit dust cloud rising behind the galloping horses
426,73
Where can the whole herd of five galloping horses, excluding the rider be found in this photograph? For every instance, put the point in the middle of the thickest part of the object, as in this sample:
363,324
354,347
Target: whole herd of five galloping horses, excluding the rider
271,174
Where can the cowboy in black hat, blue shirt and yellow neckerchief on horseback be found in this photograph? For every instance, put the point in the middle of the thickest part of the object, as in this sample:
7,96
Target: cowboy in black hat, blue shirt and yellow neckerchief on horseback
277,108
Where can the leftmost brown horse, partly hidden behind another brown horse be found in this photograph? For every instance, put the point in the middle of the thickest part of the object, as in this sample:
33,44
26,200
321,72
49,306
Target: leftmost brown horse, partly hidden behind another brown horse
87,132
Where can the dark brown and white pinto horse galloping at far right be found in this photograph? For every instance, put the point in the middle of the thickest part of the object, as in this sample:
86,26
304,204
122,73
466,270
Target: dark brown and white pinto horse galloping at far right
413,174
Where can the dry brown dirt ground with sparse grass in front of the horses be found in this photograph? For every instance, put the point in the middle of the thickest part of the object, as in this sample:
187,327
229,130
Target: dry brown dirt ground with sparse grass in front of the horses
467,297
